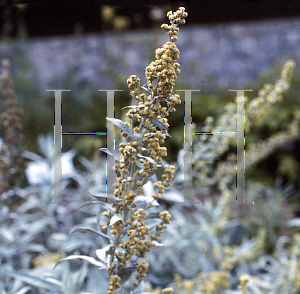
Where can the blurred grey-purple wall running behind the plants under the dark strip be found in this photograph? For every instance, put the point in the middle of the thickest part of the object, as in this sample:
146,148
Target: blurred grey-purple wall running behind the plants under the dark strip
233,53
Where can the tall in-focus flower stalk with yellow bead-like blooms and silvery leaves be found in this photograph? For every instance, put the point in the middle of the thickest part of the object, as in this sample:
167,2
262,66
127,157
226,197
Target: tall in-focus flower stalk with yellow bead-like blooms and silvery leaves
143,137
